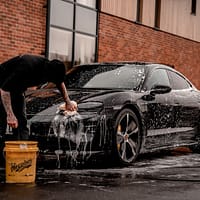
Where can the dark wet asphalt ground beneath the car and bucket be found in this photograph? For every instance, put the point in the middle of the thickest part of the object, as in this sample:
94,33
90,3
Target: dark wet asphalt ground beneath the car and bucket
159,176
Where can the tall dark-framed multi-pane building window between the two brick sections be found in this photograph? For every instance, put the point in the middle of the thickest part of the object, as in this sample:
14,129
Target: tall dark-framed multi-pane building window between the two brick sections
72,31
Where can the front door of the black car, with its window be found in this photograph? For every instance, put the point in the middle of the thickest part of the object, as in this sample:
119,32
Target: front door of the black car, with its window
160,111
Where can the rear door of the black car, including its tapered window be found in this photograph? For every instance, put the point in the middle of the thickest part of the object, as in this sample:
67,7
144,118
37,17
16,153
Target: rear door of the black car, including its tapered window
186,106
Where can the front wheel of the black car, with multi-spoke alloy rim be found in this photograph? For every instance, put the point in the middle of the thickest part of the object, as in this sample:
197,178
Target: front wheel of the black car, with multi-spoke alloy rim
127,137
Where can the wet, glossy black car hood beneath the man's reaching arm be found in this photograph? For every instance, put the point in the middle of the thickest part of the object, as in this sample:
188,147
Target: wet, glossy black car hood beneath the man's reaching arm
46,102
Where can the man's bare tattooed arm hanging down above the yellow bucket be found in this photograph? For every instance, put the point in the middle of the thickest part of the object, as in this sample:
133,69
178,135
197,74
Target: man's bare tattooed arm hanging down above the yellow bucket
6,100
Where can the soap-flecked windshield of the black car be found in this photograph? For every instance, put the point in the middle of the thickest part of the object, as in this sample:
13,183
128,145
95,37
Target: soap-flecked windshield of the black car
106,77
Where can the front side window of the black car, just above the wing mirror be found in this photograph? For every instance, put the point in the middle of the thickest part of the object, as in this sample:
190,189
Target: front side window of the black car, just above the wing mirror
157,77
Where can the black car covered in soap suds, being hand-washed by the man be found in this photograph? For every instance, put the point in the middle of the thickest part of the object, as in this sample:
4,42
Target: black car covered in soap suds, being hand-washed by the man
124,109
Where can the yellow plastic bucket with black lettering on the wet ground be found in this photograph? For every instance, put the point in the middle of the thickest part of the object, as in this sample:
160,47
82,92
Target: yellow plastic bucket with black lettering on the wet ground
20,159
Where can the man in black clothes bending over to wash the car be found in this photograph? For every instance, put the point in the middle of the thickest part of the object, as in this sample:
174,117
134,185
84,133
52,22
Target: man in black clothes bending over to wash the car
16,75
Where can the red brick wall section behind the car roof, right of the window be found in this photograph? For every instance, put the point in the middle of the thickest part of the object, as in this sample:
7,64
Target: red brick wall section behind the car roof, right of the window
122,40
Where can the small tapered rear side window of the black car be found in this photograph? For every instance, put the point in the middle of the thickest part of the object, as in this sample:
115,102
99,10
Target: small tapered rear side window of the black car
177,81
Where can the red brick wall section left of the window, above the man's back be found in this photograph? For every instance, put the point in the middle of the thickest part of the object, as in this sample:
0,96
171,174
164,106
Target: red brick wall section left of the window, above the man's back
22,27
